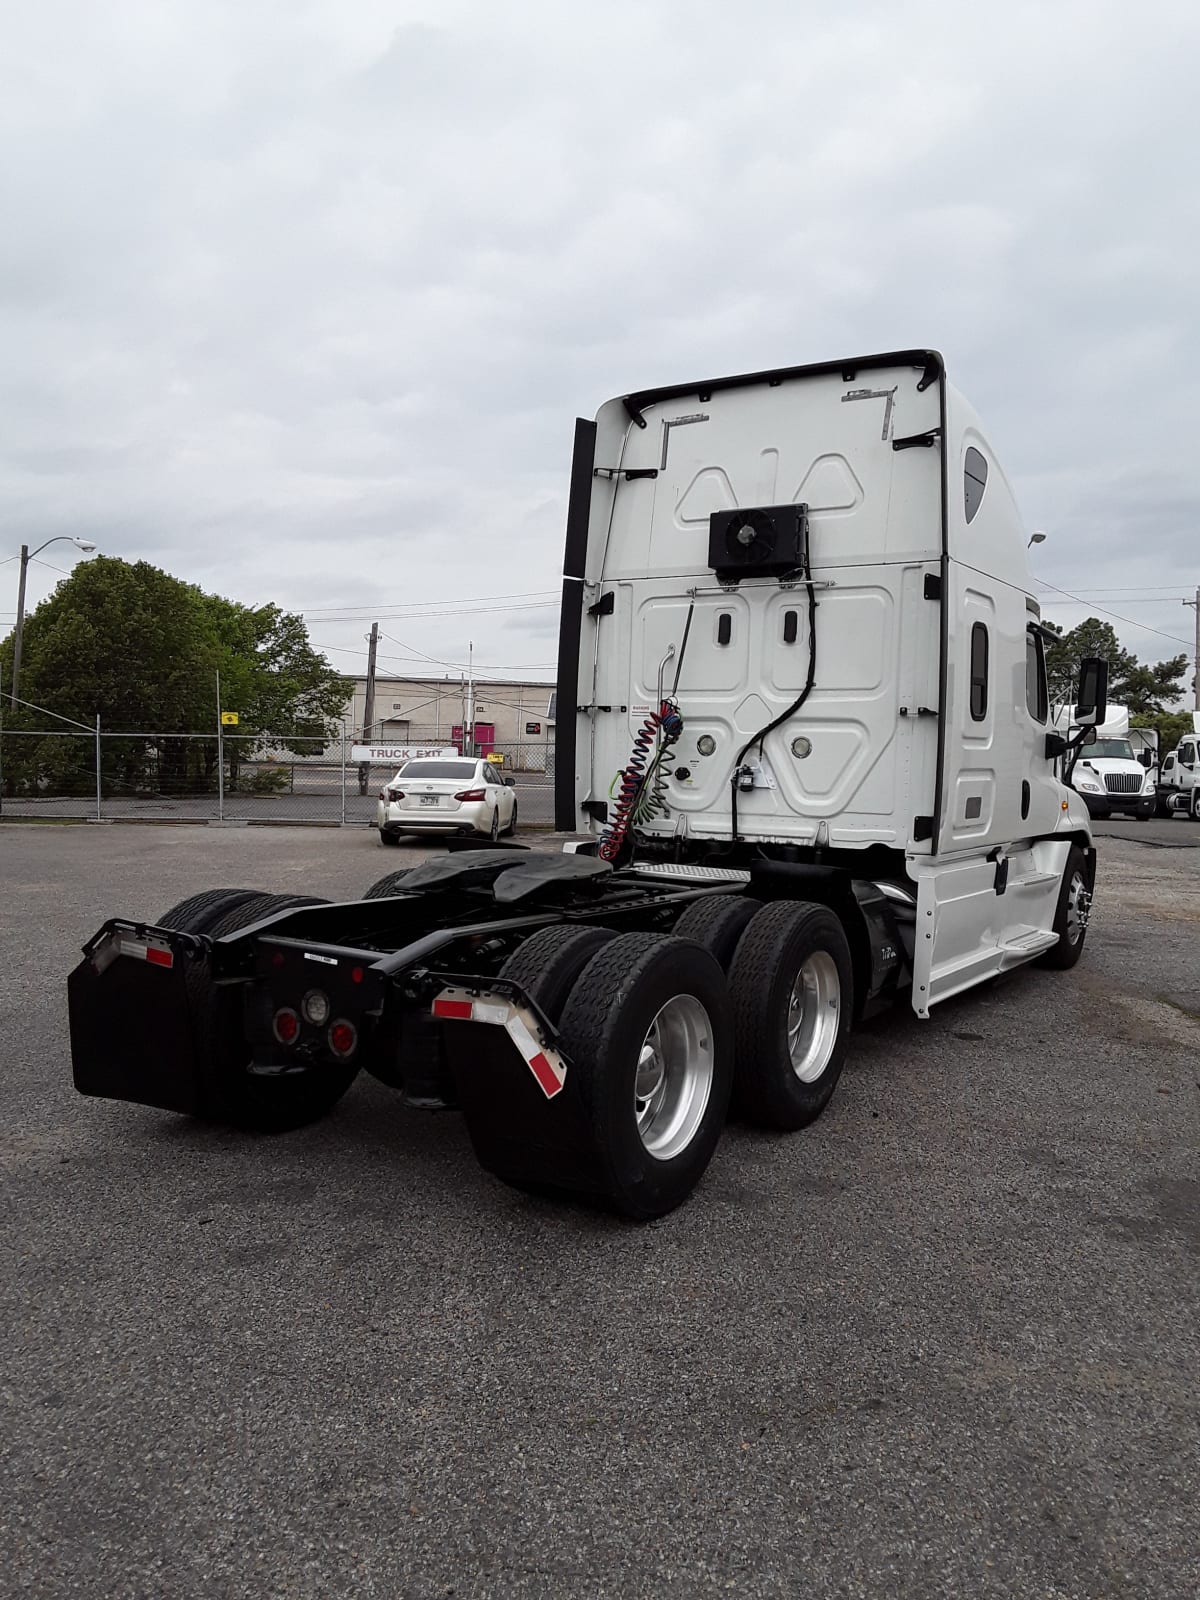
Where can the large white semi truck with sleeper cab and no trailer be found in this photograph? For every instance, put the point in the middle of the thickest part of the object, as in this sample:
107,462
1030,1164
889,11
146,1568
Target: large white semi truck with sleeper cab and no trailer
804,729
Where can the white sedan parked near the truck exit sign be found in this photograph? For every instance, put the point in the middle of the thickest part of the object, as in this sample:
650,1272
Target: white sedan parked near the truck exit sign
447,796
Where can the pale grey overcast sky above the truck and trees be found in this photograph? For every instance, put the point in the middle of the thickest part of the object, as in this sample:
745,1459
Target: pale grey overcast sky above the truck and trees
300,298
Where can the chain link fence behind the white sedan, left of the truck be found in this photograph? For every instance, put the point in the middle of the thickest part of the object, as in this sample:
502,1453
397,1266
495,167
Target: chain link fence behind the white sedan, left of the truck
98,775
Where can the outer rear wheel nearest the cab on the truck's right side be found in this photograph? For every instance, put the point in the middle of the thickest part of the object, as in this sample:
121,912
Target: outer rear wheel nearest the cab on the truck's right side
793,988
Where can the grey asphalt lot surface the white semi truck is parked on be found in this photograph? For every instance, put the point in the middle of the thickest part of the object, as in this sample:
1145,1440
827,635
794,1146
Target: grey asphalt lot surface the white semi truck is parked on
945,1343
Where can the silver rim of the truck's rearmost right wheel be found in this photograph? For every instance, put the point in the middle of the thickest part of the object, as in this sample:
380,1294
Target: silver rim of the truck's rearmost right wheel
674,1078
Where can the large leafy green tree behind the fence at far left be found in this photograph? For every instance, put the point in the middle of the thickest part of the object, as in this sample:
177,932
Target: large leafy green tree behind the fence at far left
142,649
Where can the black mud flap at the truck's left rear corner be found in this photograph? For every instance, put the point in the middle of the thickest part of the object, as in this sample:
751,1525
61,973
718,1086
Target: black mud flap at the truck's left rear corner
132,1028
